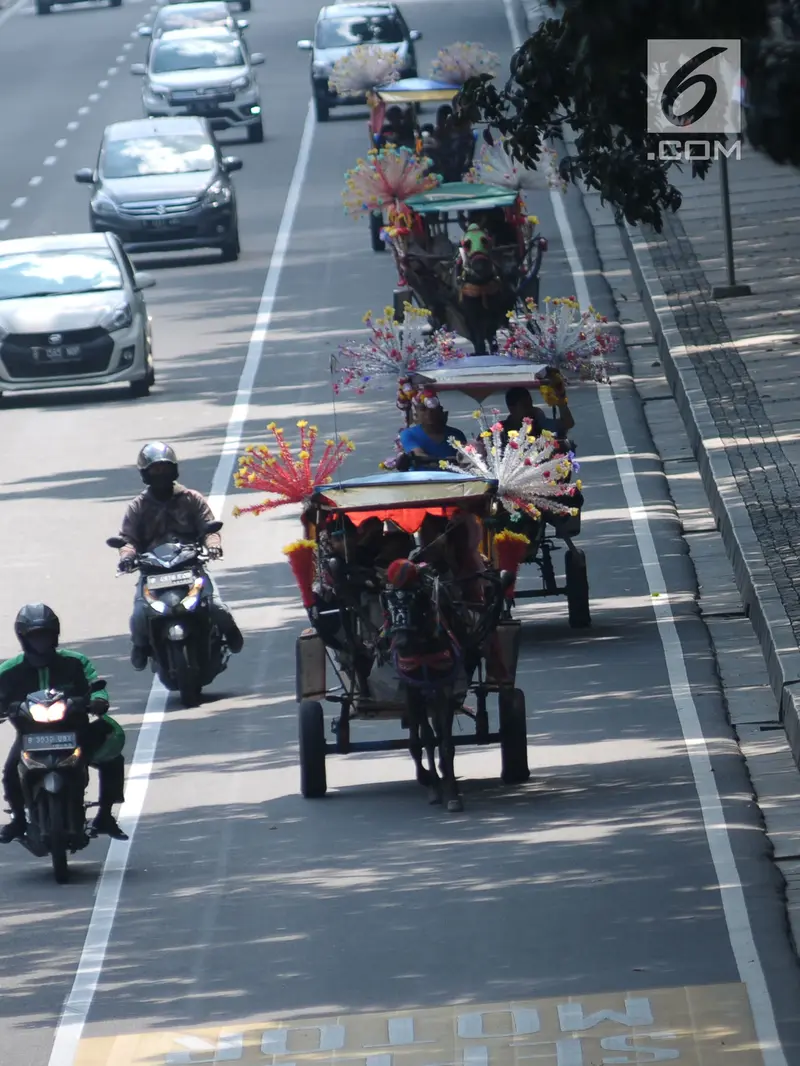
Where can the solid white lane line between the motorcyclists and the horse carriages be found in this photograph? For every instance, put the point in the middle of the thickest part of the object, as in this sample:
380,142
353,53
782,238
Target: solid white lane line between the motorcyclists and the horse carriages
79,1003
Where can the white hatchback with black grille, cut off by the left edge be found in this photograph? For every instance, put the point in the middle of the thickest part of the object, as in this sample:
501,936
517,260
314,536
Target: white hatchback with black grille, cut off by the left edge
73,315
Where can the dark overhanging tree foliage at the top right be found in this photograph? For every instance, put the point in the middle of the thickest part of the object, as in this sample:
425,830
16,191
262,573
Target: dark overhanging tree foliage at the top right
588,70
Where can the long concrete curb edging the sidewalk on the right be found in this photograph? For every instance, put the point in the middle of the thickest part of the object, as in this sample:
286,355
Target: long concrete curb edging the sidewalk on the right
759,593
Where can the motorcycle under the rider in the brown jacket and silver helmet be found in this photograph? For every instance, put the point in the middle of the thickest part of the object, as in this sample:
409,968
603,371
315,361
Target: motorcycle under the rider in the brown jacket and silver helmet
188,651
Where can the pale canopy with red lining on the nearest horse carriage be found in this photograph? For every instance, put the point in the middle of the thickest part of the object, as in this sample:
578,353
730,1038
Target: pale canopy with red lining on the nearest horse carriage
406,498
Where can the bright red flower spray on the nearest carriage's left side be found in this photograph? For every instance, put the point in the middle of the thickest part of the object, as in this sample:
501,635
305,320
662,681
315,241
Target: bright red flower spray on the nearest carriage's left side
290,478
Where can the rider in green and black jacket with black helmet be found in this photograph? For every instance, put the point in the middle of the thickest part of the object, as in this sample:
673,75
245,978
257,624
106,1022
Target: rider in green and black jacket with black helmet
43,665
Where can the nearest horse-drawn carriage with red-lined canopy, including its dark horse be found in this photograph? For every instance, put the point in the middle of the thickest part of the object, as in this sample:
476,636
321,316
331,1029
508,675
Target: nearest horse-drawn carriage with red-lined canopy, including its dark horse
412,623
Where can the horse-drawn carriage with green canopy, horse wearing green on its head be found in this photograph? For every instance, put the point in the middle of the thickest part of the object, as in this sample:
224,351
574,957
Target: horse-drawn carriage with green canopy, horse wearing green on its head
470,255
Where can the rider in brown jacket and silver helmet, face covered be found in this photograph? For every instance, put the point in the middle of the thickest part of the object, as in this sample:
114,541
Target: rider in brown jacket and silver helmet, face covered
168,511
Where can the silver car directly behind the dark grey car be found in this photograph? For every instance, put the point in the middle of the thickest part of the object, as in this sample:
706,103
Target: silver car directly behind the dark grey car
207,73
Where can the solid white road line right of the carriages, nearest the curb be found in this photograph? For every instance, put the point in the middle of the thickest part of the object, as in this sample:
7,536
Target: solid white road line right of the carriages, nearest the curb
732,895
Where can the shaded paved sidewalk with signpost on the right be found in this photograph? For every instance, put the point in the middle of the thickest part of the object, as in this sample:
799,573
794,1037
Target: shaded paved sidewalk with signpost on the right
734,368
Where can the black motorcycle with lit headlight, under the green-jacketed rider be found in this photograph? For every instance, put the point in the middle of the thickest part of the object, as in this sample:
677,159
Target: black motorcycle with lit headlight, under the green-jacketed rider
54,774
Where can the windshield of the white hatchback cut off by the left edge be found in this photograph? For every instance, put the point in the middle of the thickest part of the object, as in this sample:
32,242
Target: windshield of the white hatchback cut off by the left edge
58,273
